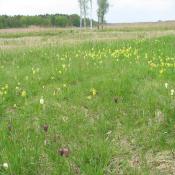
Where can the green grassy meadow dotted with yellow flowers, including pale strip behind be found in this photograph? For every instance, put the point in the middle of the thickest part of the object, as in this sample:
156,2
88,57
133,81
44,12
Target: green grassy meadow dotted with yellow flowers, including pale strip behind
88,103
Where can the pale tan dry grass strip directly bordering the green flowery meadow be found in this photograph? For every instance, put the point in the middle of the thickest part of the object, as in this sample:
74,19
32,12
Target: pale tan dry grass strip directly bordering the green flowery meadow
75,38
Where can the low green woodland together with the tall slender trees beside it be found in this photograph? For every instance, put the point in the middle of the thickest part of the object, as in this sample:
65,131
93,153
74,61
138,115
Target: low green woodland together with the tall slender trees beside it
59,20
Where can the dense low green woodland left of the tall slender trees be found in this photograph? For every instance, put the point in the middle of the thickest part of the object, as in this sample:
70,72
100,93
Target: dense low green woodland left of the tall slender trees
56,20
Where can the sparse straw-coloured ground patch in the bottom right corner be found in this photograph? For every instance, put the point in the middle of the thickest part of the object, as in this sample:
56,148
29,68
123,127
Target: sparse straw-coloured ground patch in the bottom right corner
131,160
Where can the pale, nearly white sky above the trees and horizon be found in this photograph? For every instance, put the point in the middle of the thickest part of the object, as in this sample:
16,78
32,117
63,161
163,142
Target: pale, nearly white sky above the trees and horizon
120,10
